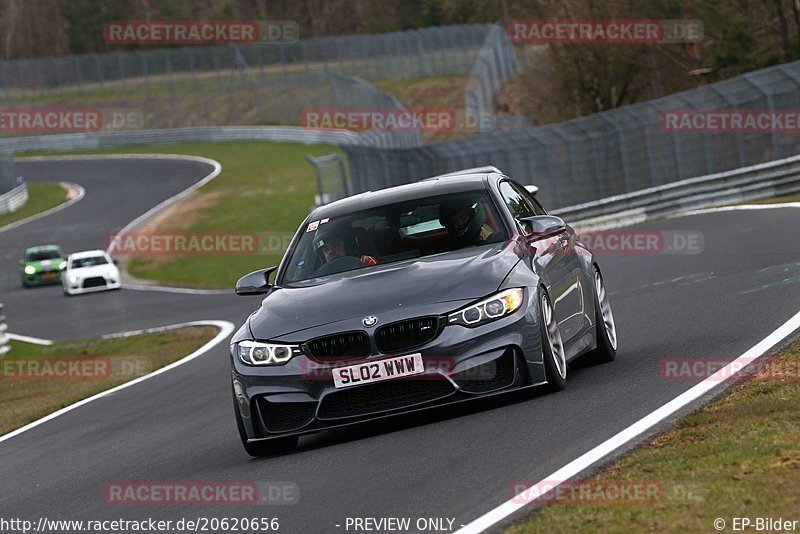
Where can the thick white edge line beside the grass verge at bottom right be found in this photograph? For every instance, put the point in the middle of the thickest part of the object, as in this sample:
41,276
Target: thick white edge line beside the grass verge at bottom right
588,459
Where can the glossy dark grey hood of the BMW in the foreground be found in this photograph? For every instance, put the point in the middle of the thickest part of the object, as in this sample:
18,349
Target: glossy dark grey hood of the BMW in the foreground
454,276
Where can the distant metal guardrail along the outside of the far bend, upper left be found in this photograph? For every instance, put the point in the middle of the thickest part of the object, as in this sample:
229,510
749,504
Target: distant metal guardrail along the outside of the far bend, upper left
200,134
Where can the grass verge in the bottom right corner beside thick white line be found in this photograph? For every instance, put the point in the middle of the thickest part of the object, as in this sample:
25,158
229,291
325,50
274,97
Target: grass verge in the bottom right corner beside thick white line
738,457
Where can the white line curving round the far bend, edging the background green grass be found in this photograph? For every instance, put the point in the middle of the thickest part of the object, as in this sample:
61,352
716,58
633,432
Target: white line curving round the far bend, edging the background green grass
217,169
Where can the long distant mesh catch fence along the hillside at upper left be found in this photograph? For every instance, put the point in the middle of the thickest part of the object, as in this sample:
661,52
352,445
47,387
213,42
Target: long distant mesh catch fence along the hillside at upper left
254,84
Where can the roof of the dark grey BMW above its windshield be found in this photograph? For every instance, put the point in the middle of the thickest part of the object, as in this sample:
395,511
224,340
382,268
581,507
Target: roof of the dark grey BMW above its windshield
455,182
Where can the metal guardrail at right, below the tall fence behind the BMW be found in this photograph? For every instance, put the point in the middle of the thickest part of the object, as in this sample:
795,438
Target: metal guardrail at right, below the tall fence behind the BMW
774,178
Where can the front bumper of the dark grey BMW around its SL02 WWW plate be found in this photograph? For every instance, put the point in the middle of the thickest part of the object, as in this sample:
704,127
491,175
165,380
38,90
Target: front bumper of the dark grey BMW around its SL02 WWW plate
461,364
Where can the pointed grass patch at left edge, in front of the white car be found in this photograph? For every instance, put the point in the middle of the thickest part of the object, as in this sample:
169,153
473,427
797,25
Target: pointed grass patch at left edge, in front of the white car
25,400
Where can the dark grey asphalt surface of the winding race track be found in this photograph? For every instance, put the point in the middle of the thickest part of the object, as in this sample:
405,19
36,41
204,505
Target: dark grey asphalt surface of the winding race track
453,463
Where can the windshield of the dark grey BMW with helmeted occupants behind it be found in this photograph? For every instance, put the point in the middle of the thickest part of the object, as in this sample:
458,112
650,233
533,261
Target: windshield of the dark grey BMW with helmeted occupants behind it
394,232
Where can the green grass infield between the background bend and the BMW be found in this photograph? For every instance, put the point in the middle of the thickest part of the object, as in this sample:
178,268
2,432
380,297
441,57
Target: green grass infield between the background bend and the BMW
264,187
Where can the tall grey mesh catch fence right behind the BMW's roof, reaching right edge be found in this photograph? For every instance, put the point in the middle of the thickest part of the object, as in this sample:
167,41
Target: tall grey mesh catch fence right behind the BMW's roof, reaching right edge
614,152
